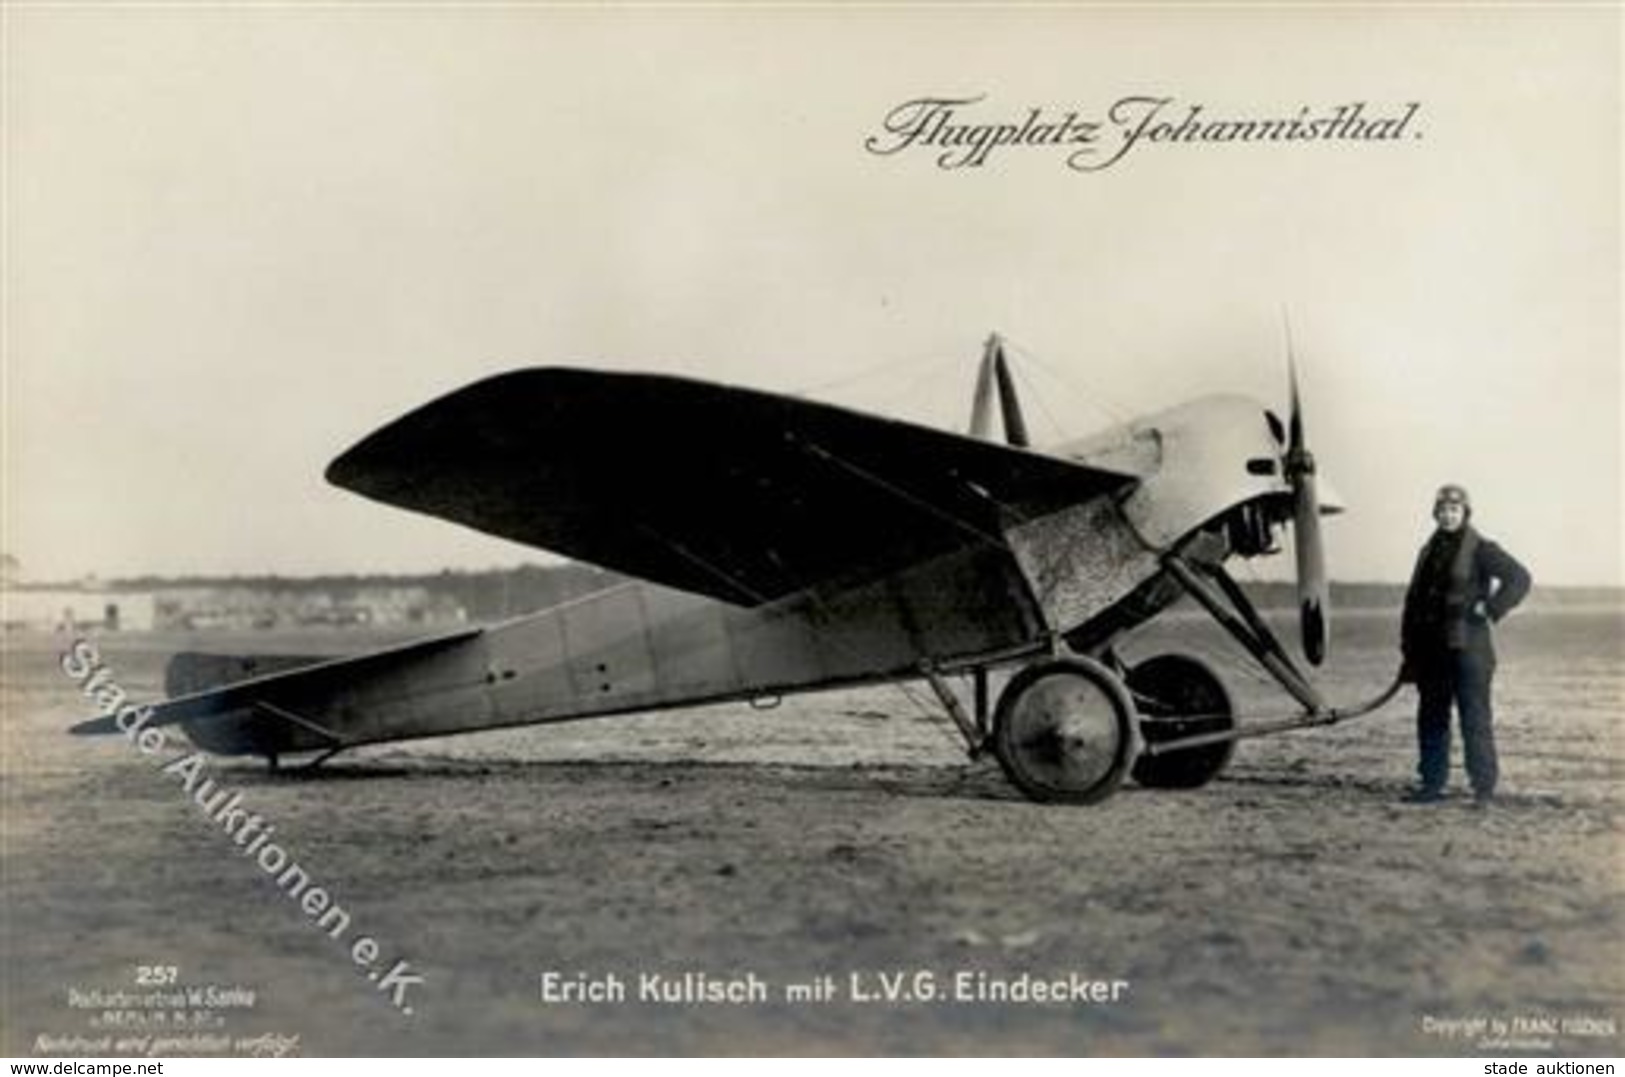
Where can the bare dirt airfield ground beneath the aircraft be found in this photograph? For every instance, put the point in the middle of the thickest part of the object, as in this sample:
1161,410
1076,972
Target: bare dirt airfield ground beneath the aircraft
1291,907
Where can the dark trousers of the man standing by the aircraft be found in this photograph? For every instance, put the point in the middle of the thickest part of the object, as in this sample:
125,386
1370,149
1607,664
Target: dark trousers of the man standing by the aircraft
1462,678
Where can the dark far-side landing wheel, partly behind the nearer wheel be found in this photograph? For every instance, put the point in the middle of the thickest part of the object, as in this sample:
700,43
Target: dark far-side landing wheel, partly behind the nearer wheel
1179,696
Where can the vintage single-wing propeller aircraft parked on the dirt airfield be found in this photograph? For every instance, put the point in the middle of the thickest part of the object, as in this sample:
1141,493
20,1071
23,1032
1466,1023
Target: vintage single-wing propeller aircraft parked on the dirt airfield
784,547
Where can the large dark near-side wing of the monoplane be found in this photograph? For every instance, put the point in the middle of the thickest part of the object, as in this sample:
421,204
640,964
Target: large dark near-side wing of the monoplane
730,493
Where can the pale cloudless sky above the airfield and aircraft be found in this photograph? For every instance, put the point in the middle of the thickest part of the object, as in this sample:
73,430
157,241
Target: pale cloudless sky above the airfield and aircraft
238,240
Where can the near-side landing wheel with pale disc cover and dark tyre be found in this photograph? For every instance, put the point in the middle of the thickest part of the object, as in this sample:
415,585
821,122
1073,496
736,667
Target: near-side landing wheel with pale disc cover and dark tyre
1065,732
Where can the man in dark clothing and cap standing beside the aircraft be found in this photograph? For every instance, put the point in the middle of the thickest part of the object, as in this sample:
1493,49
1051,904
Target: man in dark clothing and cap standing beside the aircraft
1462,586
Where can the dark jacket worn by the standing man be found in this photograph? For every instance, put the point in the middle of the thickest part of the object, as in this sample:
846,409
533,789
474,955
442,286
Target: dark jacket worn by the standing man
1455,573
